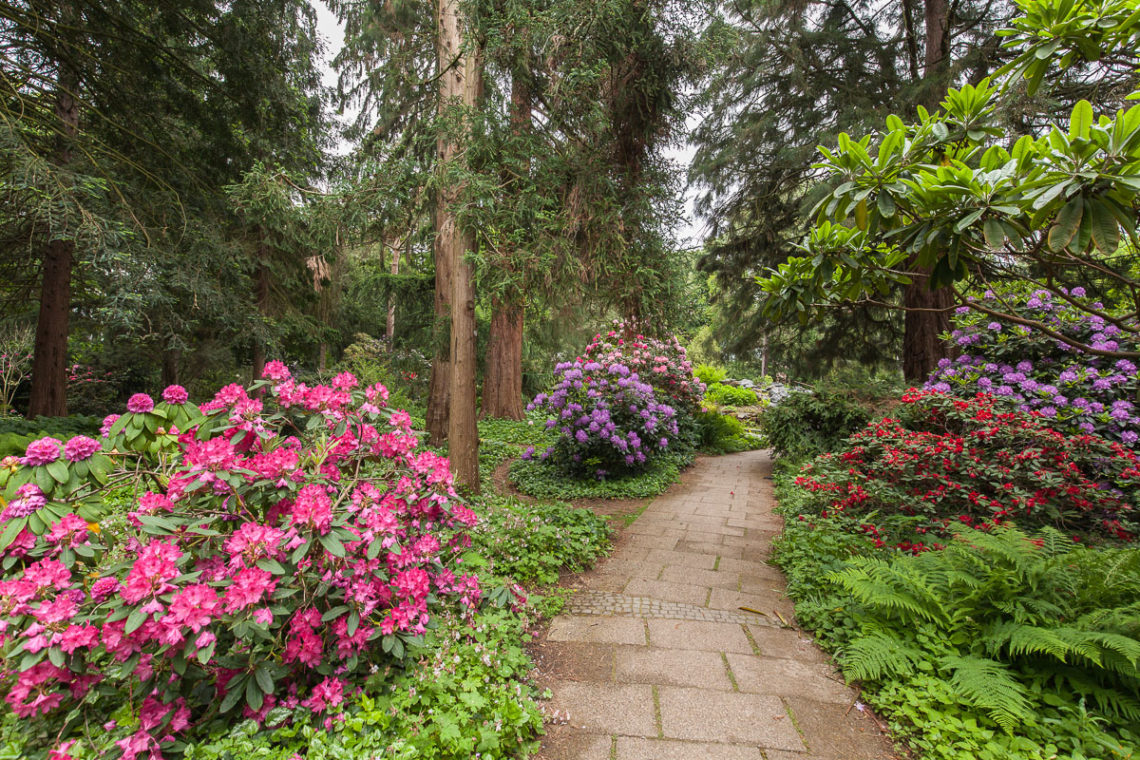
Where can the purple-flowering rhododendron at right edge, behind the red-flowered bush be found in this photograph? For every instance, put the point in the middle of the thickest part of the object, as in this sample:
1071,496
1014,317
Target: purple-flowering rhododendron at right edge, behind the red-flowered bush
1078,391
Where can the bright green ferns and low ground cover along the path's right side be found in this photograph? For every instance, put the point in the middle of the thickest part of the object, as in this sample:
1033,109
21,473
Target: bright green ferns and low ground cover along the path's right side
1001,647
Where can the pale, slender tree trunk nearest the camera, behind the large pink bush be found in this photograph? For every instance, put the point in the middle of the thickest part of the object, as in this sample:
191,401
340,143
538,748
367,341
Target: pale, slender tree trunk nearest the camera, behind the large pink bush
460,85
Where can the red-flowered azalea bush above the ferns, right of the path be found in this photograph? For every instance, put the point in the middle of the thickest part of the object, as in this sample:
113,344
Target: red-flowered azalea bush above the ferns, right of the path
947,460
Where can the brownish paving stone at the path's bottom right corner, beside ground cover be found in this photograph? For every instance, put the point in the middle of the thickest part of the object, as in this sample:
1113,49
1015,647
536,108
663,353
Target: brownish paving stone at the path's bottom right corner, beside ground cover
834,733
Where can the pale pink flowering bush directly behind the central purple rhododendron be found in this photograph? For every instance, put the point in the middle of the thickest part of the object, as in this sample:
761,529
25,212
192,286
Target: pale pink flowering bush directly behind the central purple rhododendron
662,364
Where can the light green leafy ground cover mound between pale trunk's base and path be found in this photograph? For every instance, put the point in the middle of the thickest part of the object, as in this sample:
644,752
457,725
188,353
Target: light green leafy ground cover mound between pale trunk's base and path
532,543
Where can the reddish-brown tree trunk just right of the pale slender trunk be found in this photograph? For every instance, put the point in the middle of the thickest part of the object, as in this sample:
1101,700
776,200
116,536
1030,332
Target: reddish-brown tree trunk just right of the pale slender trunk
503,379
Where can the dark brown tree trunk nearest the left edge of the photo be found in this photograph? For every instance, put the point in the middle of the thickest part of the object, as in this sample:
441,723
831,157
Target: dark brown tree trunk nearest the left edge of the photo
50,365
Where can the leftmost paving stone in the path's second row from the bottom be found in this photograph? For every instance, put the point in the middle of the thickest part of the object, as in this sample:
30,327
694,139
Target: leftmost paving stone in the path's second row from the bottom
623,709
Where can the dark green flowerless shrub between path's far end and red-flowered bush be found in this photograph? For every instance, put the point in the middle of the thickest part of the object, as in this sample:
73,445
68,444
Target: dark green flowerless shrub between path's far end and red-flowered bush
807,423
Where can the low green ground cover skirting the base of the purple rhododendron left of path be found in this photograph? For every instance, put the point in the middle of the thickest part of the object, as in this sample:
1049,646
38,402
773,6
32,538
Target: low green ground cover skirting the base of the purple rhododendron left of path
542,481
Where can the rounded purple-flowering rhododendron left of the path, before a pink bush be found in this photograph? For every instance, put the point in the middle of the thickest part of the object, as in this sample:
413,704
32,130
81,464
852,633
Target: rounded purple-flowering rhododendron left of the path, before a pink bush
608,418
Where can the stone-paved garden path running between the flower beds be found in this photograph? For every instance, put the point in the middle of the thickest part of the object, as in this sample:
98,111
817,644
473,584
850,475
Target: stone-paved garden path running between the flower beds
657,659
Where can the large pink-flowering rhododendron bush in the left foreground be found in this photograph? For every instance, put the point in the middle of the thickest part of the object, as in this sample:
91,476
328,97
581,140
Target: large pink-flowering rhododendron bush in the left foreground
287,542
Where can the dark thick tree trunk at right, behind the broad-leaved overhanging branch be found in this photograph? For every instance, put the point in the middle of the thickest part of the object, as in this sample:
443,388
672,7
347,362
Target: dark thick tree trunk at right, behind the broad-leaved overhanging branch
929,312
